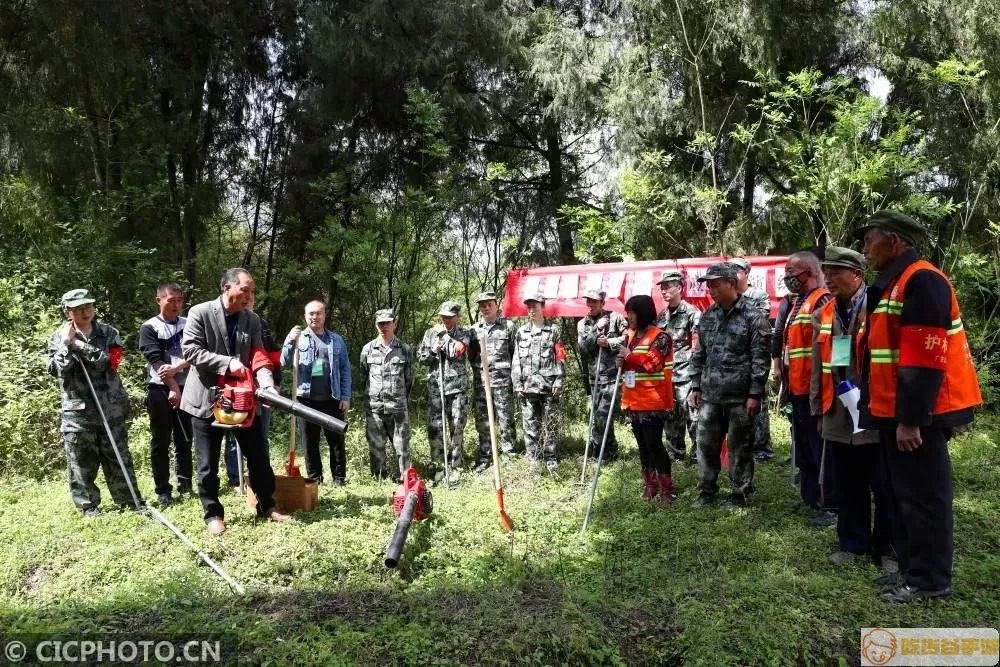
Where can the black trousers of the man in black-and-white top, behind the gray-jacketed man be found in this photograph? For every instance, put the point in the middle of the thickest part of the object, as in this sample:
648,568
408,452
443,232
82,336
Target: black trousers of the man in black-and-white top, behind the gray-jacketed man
166,422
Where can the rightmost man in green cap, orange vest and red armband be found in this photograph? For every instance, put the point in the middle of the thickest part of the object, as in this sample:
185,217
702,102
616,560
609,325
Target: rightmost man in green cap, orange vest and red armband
918,383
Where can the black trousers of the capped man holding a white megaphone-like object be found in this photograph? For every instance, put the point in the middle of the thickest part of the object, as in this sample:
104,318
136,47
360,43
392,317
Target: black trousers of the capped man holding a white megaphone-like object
859,481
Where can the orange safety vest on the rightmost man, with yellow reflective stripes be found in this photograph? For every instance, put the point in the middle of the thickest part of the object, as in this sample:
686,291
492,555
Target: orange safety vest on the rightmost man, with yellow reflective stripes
921,346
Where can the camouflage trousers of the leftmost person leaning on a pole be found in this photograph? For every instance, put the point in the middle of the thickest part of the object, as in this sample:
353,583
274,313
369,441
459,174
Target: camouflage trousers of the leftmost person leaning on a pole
90,451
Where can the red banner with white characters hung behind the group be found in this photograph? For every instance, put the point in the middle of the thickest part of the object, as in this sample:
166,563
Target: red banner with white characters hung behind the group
563,286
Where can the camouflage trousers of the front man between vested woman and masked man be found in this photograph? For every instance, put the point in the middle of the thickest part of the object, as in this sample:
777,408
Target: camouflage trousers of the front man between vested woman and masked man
718,421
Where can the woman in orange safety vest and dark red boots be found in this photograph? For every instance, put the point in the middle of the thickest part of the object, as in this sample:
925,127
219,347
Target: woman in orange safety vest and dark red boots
647,393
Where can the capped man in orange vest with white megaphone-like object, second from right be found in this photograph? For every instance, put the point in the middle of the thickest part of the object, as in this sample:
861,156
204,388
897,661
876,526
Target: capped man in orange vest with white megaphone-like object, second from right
854,452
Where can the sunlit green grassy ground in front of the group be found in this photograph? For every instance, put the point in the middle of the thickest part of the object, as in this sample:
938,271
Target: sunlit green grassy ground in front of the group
649,585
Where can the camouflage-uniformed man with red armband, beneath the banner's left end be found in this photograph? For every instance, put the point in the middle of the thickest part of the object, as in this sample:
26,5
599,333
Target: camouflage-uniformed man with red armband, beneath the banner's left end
538,371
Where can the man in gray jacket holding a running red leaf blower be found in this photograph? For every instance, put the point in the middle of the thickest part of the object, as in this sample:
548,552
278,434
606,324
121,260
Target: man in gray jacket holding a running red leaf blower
221,336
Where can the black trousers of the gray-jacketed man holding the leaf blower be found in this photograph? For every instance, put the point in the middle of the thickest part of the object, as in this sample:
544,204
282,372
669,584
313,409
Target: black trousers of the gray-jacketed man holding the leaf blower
208,444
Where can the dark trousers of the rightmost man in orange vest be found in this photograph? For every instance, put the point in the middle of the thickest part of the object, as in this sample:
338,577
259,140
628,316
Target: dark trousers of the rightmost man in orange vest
919,487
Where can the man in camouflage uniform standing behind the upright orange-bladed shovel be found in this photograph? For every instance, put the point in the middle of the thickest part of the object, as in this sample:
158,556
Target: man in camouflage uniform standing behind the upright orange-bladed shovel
499,334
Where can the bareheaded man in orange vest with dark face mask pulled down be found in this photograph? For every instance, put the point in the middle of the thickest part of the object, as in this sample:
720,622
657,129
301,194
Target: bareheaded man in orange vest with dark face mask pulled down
803,279
